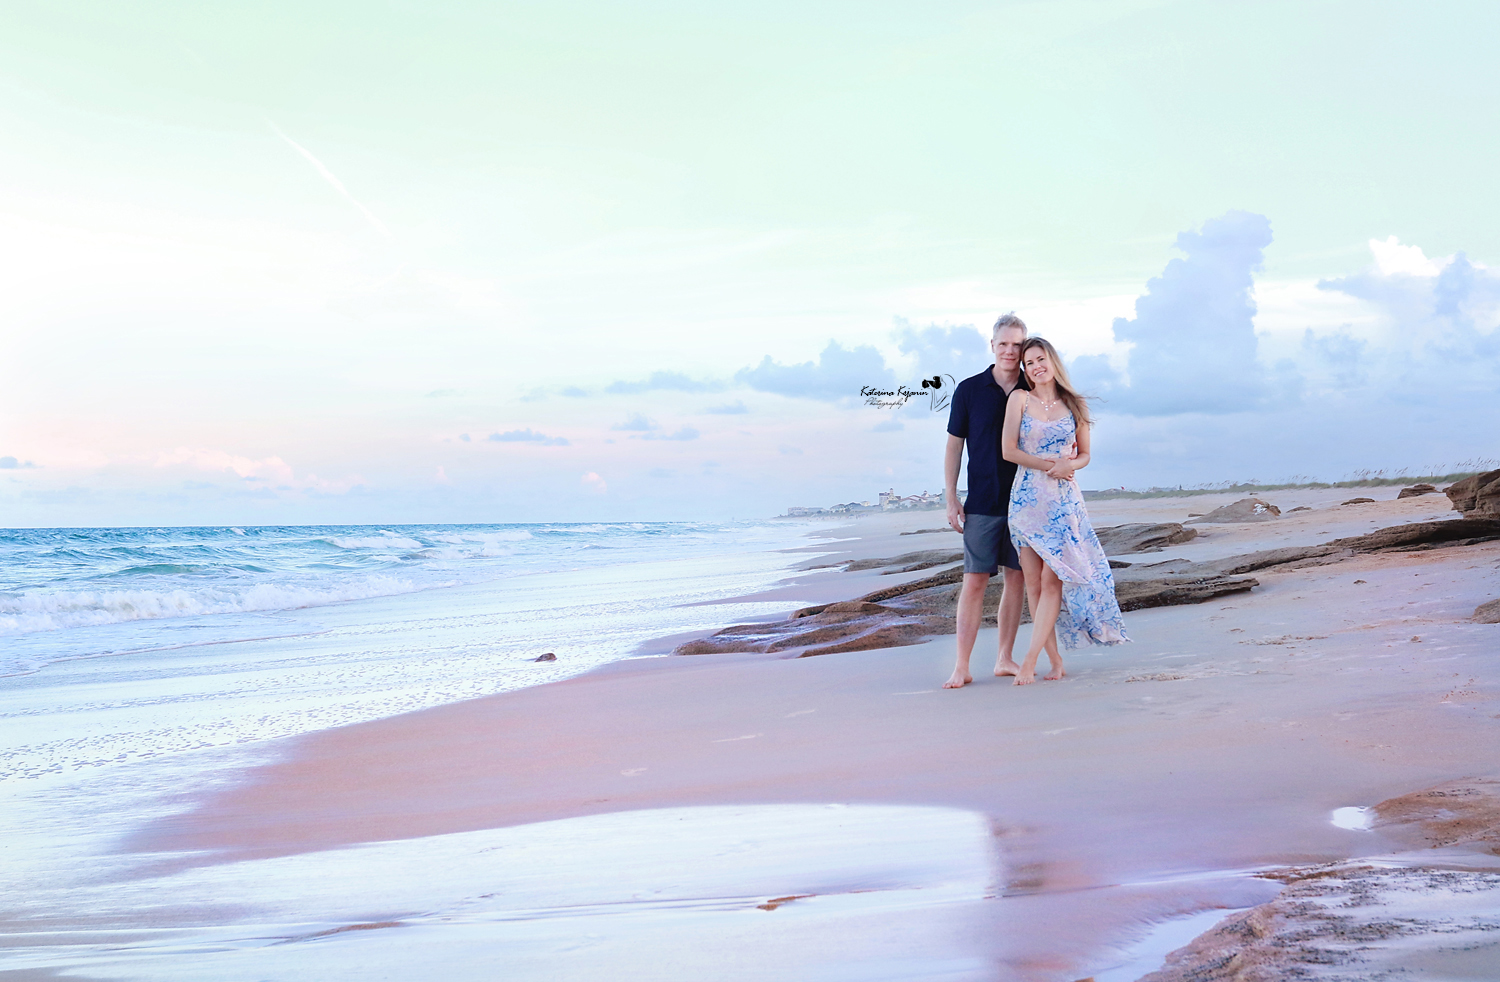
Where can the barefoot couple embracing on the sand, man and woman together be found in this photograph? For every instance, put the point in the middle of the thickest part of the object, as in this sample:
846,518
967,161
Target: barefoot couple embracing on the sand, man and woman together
1028,433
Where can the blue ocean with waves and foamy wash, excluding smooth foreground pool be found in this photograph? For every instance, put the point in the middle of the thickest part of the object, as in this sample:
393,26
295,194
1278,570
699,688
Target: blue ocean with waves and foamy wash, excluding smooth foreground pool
137,642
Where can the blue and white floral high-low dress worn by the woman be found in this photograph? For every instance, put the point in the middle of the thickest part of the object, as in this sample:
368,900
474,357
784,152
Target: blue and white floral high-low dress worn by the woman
1049,518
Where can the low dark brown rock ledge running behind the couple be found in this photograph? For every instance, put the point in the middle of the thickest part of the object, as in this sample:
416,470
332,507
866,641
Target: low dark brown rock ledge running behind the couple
908,614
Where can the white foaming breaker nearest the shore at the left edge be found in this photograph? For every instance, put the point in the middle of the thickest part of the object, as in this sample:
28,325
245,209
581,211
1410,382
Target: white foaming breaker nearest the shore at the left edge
32,612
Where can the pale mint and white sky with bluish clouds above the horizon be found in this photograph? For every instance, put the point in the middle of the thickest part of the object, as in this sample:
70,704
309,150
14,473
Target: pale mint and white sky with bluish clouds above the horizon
335,263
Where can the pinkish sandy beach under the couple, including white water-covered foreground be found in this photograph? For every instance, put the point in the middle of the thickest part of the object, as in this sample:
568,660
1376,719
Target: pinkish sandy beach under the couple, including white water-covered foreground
845,818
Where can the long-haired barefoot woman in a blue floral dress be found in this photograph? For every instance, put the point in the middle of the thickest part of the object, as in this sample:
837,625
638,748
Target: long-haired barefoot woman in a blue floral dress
1061,555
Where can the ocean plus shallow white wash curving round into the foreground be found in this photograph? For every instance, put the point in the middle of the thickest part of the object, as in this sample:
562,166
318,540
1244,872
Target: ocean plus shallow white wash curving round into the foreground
142,669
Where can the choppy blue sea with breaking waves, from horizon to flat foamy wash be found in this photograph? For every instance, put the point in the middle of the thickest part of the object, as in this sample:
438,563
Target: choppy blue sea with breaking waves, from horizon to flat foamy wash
59,579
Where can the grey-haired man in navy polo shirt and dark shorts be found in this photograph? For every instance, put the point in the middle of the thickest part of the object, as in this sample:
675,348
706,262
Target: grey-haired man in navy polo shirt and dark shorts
974,421
